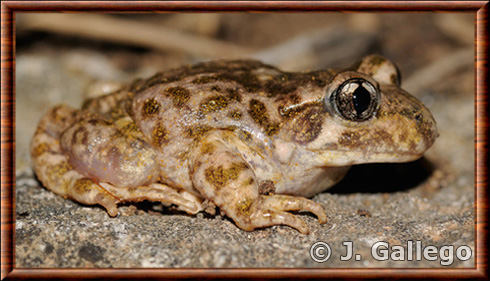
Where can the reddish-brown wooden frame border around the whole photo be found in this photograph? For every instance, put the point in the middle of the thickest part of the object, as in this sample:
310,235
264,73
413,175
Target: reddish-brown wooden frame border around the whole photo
8,10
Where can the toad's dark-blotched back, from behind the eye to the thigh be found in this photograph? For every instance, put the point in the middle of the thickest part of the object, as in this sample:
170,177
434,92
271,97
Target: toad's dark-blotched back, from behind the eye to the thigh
247,95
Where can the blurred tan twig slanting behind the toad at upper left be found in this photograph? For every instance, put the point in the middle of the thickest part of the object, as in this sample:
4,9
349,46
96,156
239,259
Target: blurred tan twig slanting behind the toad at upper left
113,29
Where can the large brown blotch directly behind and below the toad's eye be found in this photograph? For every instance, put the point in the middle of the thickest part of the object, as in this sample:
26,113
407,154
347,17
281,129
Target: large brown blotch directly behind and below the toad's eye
308,125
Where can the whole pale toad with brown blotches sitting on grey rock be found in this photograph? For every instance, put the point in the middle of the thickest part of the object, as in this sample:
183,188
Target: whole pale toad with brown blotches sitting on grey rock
238,136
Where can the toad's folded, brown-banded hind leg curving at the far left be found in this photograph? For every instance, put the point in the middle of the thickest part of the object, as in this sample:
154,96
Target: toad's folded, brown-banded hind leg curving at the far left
53,169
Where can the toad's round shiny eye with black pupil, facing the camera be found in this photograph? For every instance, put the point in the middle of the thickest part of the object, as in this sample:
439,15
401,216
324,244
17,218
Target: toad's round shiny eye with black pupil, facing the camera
356,99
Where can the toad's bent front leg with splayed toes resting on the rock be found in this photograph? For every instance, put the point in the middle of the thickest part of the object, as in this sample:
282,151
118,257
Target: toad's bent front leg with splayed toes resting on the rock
223,177
